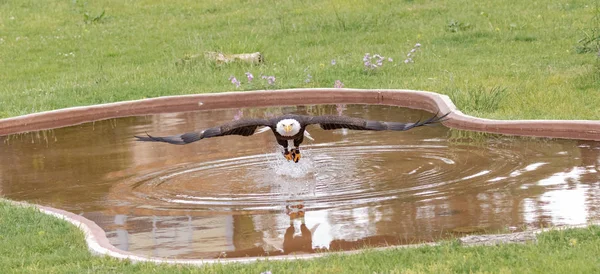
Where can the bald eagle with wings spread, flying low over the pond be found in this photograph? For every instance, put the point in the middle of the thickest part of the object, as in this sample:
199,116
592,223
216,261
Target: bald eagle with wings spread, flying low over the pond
289,129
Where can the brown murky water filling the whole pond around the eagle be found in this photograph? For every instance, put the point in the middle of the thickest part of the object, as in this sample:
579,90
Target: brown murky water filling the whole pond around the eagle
237,196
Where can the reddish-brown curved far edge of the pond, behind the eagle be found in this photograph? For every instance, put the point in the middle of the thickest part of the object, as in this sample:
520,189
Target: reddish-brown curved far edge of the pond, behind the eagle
425,100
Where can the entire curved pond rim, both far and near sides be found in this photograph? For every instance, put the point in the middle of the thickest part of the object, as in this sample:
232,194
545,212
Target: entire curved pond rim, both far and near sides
96,238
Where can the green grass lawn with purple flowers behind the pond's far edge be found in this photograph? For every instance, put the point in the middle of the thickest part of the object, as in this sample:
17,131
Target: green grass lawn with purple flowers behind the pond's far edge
58,54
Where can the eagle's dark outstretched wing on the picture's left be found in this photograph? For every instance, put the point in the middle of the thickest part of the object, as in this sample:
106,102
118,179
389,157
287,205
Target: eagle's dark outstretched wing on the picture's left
240,127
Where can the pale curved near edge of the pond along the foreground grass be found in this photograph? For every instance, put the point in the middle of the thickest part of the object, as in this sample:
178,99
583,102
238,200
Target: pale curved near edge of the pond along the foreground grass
99,245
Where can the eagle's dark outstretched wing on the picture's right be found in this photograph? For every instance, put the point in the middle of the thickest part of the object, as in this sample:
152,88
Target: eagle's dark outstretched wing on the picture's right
335,122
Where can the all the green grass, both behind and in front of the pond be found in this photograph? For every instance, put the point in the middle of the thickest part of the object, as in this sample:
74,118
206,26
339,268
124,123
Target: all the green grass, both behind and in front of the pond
497,59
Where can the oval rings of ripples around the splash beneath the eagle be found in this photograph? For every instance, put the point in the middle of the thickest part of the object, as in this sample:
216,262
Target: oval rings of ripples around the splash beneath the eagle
328,176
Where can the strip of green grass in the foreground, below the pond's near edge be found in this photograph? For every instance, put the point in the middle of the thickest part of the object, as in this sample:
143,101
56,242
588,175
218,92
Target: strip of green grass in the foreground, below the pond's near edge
31,242
